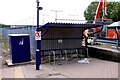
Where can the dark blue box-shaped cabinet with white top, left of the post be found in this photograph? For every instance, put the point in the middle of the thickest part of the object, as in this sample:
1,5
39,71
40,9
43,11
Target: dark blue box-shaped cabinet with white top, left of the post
20,47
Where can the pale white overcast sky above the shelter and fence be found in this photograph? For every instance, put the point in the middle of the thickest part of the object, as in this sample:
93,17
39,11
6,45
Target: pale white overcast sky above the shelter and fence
24,12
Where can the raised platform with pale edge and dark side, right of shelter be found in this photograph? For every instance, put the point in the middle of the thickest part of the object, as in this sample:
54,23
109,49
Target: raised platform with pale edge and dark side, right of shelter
105,51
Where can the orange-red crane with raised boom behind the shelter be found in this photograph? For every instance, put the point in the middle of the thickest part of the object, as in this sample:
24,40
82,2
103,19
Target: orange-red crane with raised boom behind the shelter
103,6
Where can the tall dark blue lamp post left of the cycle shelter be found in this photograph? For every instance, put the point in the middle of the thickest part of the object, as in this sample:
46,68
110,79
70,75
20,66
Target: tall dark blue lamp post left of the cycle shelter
38,48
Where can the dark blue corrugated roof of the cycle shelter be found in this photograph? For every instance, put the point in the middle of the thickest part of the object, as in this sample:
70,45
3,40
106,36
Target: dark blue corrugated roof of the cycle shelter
71,25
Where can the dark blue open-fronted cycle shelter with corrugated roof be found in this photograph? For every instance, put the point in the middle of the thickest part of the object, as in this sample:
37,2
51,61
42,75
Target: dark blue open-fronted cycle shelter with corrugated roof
62,38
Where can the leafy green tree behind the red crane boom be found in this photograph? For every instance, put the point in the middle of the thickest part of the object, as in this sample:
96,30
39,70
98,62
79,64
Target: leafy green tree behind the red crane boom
113,11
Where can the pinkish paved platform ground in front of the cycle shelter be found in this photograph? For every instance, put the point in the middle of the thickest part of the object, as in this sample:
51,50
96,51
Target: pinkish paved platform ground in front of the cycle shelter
95,69
